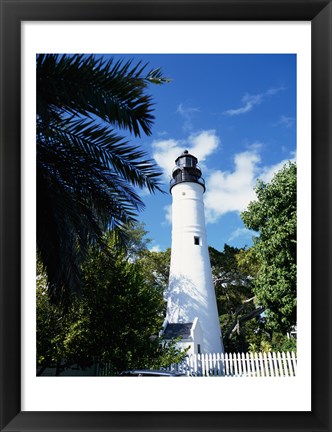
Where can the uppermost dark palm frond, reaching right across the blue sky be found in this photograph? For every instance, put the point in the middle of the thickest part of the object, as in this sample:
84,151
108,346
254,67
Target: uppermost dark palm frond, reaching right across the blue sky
112,91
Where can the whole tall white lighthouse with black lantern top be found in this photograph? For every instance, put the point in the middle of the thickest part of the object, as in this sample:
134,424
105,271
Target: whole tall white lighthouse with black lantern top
192,311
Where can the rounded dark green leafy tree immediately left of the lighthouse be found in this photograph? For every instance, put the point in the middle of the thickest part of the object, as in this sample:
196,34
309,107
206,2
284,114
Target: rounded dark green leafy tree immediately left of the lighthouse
126,310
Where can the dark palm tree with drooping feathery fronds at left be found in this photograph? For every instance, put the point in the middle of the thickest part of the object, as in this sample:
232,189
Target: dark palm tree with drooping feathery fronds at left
87,174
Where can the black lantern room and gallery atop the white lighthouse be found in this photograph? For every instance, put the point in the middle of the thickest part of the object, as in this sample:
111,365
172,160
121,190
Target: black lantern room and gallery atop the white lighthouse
186,170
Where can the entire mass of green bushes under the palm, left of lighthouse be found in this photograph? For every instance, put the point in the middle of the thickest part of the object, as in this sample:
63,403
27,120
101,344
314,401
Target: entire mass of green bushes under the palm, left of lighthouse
116,321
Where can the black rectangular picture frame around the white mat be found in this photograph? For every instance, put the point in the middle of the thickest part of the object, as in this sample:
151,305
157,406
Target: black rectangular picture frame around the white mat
13,12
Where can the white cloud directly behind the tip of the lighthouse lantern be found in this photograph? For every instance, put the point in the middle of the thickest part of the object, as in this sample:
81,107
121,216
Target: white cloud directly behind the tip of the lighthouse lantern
201,145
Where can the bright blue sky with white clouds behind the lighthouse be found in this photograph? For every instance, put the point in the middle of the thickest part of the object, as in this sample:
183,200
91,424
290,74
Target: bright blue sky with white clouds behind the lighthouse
237,115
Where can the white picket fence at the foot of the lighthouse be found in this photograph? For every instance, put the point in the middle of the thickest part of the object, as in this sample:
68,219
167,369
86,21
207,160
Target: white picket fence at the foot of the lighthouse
273,364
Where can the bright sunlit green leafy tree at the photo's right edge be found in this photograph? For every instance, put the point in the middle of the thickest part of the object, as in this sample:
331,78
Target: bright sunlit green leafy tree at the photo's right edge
273,214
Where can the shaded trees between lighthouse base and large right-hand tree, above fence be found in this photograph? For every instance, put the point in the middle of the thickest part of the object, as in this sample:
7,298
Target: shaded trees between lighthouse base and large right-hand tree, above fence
244,324
